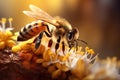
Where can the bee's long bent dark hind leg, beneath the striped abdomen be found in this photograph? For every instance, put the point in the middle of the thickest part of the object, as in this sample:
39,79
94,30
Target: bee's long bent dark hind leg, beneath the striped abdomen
39,38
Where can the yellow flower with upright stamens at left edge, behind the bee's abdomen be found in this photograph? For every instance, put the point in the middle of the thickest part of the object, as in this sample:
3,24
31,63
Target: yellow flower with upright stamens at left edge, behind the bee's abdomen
6,34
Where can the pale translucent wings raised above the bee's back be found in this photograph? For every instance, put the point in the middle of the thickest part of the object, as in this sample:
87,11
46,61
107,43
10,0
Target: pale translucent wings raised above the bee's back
39,14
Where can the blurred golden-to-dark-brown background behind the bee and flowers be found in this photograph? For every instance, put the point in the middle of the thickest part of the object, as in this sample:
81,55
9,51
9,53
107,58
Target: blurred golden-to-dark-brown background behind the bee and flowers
98,20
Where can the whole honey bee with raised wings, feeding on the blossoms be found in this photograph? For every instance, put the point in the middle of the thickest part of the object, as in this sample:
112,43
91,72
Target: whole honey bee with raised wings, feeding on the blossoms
57,29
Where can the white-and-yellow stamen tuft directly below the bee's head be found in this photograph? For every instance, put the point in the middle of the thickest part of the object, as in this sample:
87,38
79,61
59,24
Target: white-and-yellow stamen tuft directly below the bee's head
71,57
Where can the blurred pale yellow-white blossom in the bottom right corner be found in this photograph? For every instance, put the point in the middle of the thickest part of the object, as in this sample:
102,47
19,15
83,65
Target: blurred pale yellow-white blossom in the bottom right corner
105,69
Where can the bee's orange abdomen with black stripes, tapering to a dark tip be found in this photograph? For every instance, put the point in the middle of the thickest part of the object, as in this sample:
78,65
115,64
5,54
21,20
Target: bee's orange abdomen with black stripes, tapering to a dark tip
31,30
